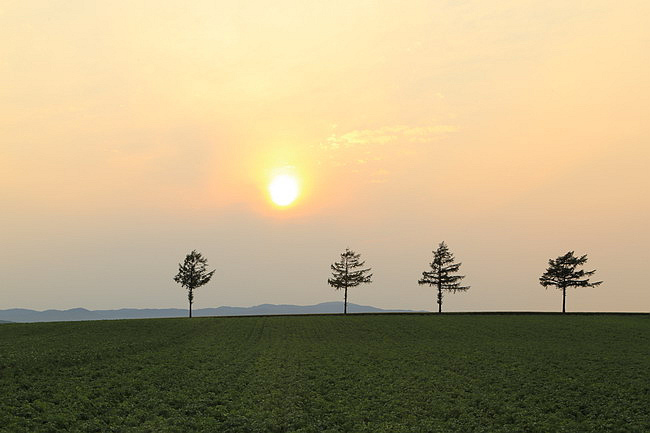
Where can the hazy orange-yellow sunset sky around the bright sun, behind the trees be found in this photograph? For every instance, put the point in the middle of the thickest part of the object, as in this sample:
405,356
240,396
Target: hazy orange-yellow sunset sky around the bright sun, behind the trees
134,132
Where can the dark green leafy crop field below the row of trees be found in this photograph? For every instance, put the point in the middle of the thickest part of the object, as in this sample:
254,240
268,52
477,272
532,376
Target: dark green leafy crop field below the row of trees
360,373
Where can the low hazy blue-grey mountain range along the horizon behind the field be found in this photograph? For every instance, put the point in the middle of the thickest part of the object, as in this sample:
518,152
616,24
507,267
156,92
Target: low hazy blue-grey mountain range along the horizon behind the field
25,315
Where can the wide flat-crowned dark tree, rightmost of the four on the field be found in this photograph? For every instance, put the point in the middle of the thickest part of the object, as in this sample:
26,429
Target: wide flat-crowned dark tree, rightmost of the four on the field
562,273
